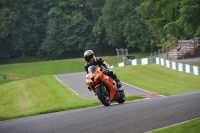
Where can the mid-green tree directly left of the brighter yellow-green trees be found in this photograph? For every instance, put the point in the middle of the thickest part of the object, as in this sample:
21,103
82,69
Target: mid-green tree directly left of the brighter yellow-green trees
123,26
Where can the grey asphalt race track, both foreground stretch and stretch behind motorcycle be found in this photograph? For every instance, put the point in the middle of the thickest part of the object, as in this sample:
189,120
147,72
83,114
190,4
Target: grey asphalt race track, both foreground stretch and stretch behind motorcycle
136,117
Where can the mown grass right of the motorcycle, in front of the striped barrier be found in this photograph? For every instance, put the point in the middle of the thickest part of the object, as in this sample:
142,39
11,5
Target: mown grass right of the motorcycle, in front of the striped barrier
160,79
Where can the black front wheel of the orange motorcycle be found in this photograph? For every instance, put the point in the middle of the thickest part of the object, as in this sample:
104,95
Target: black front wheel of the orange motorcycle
105,100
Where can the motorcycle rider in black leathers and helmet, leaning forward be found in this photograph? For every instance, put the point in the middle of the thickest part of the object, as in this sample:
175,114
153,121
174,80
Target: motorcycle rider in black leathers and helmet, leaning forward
92,60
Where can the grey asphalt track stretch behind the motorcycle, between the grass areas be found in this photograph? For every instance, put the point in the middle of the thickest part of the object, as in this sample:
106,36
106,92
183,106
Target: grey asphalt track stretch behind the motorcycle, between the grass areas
76,82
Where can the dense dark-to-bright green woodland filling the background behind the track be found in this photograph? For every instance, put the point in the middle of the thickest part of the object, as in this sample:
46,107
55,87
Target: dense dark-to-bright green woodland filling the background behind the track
58,29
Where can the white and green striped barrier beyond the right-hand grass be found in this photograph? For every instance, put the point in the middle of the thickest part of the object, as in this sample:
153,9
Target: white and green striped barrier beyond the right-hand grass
173,65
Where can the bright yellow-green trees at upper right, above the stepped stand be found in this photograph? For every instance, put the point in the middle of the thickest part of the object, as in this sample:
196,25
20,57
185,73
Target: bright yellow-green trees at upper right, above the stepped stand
171,20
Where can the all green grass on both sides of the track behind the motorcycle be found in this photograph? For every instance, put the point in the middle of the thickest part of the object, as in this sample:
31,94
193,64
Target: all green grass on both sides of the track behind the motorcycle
31,88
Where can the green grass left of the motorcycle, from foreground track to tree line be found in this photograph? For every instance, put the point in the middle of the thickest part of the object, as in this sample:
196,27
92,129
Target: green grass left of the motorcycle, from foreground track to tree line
31,88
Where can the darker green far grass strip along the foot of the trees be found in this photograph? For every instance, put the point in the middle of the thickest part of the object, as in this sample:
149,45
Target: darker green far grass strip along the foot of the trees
21,71
